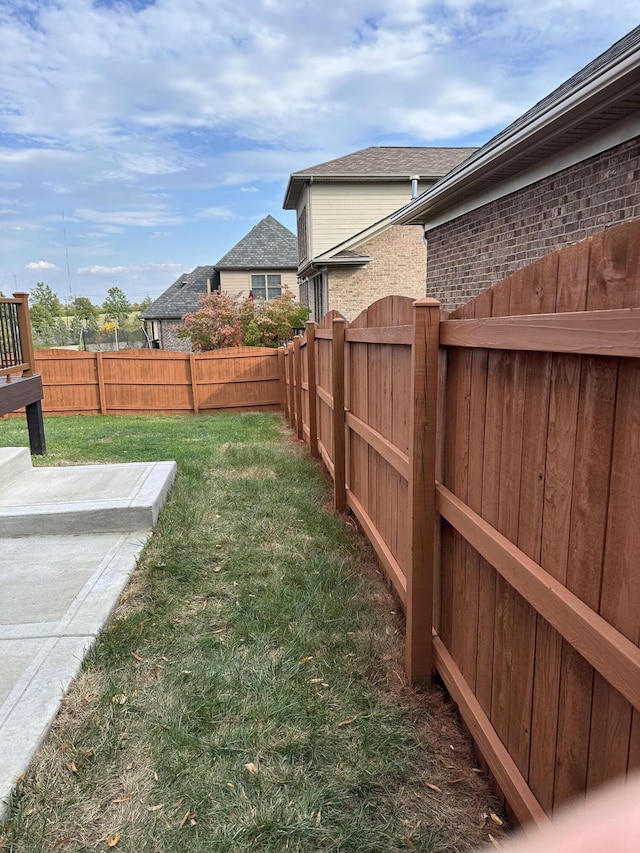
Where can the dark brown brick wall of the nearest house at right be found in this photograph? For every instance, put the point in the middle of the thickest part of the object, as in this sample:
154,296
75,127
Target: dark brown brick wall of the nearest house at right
479,249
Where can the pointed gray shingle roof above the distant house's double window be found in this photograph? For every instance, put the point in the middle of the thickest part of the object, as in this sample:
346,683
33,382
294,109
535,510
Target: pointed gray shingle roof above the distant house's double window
269,245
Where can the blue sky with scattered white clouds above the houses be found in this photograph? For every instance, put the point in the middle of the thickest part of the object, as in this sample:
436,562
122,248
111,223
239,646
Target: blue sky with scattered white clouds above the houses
140,139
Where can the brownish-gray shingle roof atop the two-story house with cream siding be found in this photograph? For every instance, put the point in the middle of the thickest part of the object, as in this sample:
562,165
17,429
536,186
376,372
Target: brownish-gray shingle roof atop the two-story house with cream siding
379,162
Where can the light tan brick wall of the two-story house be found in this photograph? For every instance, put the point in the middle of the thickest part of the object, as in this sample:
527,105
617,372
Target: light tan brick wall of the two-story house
398,268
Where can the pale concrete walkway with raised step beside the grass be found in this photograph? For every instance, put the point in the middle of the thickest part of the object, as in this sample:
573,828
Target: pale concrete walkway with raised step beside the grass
69,539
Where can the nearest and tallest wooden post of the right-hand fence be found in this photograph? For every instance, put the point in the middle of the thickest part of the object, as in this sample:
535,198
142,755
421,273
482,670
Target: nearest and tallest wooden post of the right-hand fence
422,472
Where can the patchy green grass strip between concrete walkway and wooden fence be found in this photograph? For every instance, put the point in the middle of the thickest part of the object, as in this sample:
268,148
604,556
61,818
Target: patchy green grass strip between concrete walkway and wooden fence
248,693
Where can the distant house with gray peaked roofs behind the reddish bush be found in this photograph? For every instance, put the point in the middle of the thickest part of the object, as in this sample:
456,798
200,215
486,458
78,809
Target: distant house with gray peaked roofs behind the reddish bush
262,263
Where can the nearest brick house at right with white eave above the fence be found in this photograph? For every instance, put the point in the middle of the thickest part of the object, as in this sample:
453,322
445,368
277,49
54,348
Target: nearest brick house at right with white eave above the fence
566,169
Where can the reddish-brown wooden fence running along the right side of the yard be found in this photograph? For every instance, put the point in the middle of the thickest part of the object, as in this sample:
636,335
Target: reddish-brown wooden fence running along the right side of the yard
535,573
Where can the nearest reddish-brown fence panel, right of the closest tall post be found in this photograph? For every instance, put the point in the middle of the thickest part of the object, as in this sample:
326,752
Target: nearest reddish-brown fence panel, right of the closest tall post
543,445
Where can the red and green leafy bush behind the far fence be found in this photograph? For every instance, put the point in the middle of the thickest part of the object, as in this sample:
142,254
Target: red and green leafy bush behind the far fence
225,321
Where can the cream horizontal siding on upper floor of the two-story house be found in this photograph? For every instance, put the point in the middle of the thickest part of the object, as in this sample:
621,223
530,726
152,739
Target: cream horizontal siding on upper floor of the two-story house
341,210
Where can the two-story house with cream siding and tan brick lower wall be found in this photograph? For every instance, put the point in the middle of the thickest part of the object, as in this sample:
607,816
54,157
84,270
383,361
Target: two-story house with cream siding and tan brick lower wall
350,253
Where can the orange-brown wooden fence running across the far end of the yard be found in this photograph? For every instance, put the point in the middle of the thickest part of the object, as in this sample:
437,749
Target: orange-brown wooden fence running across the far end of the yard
147,381
